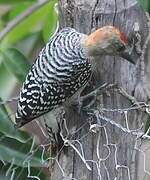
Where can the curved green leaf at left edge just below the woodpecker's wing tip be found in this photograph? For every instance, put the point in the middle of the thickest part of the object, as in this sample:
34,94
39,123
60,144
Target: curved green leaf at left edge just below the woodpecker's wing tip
7,126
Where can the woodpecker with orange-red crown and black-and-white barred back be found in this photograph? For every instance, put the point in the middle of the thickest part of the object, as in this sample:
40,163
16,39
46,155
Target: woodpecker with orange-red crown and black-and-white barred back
64,67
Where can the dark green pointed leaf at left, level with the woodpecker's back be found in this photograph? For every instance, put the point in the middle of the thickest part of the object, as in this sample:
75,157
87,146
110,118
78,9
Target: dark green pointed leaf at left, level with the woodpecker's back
16,62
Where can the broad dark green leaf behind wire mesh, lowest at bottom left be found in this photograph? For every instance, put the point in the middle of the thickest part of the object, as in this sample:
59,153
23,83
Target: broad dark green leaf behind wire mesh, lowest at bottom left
20,154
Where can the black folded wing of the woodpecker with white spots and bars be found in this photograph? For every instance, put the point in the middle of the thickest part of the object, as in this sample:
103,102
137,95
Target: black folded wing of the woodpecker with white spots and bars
40,97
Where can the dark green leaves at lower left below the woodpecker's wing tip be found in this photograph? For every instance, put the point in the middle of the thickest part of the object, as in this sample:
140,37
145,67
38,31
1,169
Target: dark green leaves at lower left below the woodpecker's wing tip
17,146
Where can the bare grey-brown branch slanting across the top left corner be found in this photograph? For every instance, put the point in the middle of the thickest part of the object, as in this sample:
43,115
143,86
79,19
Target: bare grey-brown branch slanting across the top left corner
19,19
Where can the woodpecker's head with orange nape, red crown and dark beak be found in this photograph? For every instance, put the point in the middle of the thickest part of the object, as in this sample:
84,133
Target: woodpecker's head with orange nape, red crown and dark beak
108,40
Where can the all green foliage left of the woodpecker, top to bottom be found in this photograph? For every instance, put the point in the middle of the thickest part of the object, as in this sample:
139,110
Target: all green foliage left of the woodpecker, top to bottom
17,49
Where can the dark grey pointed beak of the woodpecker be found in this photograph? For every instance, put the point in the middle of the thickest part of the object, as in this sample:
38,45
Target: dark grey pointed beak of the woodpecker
129,55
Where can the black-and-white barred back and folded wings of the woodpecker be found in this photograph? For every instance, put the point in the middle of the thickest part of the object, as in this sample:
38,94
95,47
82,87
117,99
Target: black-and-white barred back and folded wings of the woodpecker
59,71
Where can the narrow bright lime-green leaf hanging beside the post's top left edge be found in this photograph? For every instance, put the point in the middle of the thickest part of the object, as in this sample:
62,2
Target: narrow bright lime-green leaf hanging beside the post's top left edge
52,21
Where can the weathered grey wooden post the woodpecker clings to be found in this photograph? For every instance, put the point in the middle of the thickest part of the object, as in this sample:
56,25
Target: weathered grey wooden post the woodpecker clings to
110,152
